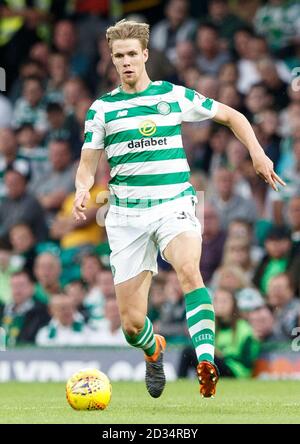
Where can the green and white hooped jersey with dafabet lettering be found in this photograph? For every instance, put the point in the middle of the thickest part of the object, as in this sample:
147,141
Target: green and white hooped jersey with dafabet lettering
141,134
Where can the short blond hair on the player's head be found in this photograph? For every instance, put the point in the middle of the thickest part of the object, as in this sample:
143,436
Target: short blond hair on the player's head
127,29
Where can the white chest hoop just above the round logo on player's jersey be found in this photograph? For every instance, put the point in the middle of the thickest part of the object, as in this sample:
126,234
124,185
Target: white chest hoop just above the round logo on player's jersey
130,123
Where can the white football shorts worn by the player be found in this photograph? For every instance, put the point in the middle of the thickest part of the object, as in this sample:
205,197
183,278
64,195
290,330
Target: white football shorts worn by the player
136,238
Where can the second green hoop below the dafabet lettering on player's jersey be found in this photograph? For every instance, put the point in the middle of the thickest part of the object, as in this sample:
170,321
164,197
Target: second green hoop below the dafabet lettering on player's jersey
150,179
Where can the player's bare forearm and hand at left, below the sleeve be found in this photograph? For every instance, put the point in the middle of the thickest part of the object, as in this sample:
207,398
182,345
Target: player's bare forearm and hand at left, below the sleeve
85,180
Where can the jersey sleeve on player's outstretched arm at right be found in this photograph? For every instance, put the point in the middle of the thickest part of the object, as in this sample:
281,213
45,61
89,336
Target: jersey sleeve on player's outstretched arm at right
194,106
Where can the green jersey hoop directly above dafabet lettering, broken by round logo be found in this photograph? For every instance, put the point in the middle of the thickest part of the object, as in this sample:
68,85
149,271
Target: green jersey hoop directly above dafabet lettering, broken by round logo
125,136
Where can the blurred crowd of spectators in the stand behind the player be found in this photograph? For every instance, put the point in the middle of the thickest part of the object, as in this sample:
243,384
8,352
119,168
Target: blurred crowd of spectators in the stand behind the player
56,286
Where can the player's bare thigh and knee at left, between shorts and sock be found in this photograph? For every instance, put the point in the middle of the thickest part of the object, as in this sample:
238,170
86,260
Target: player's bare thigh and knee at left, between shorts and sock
132,297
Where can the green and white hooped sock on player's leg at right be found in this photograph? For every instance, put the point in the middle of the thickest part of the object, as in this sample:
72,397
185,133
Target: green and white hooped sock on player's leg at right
201,323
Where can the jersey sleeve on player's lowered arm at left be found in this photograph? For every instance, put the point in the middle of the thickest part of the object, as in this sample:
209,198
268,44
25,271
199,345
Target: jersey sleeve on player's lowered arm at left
94,128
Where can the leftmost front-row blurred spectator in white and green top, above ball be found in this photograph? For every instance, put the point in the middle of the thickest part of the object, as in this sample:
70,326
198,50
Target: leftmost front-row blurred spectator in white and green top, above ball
66,326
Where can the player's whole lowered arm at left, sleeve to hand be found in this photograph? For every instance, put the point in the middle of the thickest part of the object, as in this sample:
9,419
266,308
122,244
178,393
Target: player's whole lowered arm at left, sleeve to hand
90,155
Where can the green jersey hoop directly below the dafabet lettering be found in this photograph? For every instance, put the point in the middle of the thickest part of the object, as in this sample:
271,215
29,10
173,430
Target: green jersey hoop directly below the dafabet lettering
148,156
